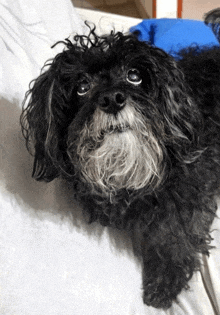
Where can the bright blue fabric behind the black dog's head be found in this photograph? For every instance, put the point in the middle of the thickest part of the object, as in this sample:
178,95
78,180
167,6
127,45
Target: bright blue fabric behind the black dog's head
172,35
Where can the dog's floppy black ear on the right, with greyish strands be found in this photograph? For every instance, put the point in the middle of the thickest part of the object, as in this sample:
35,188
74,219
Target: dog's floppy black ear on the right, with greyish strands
181,121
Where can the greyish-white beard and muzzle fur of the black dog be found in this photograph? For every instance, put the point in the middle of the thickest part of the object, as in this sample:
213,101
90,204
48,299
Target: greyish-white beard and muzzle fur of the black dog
130,159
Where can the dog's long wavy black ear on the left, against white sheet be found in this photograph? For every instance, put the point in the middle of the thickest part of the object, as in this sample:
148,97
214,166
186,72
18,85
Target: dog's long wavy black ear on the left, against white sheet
47,115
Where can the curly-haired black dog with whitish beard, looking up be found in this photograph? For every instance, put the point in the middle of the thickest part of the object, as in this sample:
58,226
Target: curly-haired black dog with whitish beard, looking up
137,135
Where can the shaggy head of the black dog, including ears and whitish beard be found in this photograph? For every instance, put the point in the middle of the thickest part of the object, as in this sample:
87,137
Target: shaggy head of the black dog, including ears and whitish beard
111,112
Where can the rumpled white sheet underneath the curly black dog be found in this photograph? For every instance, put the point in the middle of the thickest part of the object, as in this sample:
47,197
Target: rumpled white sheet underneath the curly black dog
51,261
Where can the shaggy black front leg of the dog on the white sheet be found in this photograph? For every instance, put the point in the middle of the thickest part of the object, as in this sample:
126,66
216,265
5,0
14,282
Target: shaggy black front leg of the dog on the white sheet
169,242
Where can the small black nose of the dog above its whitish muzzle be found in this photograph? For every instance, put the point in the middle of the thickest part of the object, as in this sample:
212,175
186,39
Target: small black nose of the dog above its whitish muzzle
112,102
